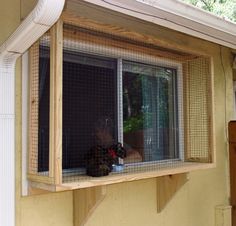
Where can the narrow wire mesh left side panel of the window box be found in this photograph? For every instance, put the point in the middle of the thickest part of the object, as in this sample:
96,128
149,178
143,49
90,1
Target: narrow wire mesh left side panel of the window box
39,107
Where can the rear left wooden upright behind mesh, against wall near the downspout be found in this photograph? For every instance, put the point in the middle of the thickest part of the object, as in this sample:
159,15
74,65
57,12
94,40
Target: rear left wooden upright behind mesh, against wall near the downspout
33,109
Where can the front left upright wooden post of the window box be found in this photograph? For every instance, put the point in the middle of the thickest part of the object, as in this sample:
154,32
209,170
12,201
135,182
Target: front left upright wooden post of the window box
55,145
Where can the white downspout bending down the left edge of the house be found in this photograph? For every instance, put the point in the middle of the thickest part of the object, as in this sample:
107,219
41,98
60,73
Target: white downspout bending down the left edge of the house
43,16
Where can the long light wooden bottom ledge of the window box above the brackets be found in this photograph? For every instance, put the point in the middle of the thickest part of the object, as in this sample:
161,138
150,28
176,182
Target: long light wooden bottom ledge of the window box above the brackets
72,182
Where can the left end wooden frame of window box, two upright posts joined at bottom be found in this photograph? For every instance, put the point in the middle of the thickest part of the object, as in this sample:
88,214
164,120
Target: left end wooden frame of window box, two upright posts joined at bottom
54,175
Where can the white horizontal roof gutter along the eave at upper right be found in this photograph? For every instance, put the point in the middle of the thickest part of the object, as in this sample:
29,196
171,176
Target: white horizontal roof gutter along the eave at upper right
178,16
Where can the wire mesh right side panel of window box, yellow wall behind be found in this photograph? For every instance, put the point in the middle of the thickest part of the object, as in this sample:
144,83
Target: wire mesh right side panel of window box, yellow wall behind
197,94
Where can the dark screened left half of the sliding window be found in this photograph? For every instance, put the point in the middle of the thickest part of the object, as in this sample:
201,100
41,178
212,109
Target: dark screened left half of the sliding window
89,106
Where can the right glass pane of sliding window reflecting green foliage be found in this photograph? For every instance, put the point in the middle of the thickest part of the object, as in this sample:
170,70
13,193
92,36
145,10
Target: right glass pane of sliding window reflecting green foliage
149,112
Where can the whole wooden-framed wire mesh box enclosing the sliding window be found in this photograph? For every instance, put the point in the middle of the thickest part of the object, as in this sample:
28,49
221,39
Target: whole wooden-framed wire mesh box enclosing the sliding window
91,91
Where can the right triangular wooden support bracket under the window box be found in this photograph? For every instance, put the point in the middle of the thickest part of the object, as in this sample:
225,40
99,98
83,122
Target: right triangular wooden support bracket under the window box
167,186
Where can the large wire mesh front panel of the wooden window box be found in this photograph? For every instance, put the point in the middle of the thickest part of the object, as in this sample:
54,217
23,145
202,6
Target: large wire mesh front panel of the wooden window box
131,107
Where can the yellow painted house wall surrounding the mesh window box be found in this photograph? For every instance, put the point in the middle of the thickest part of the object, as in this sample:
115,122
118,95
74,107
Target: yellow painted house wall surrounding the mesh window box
134,203
